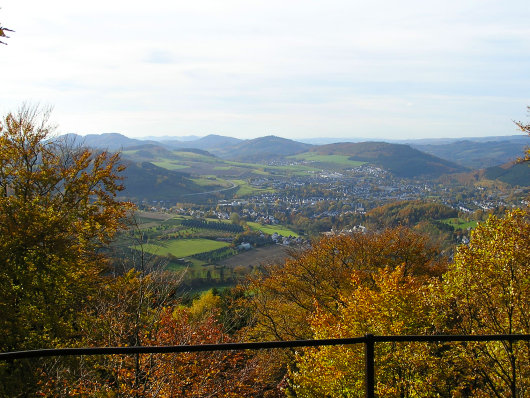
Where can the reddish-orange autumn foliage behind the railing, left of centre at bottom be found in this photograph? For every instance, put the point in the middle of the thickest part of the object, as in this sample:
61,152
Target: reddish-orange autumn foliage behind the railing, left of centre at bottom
207,374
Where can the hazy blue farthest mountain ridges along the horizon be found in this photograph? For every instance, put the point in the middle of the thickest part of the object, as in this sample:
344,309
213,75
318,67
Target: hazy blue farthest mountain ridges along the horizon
472,152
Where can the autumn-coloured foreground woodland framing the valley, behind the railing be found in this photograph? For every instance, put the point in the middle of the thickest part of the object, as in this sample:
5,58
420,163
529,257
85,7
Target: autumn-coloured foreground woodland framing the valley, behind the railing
59,209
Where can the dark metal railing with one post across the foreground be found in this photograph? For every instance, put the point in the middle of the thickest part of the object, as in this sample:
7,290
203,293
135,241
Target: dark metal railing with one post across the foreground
368,340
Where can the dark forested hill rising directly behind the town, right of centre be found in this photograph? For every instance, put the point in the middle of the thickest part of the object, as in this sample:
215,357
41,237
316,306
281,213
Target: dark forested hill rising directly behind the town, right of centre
401,160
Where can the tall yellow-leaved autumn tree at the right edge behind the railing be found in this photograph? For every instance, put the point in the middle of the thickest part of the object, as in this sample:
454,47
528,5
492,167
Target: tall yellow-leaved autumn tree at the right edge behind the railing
489,287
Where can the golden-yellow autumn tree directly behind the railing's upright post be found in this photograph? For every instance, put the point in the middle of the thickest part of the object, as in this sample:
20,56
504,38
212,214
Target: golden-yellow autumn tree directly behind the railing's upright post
395,305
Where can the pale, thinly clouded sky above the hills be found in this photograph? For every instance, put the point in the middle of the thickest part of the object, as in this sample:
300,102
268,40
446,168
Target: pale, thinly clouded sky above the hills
296,69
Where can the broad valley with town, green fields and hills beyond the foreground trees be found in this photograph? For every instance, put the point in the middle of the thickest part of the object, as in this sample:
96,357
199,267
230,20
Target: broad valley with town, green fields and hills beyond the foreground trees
217,218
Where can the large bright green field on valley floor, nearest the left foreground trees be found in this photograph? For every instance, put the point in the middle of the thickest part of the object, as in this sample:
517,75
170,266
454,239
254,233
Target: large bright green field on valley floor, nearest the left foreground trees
182,247
